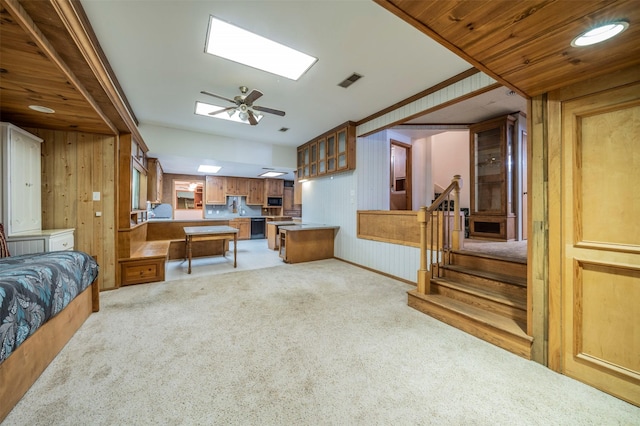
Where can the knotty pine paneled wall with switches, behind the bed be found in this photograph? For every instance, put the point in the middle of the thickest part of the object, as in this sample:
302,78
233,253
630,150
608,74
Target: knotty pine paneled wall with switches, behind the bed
74,166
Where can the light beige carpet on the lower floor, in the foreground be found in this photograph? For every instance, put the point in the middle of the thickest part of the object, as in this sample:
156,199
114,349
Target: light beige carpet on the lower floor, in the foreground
321,343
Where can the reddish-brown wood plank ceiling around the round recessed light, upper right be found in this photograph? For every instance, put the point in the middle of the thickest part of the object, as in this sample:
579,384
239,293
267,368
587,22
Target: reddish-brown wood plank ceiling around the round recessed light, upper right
526,44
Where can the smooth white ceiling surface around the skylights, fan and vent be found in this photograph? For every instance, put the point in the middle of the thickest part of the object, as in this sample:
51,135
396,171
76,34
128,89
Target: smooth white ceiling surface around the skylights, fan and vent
156,49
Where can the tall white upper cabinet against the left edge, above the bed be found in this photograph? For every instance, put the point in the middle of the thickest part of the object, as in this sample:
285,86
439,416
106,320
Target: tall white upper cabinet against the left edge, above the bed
20,180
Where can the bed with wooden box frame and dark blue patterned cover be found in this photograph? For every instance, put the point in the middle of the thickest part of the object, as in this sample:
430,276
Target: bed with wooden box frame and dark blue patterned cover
44,299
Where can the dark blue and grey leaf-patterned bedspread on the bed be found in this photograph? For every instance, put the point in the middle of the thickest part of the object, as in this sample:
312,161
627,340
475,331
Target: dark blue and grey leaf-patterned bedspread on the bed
35,287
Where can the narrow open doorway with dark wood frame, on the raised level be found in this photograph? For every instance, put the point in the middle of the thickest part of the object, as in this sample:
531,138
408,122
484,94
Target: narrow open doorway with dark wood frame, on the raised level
400,177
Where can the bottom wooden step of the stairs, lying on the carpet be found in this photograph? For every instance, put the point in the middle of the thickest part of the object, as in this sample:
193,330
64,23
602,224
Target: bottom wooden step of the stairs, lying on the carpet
493,328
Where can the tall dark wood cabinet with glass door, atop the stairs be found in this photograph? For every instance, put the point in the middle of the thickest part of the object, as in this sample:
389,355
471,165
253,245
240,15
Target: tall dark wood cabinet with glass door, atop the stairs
493,172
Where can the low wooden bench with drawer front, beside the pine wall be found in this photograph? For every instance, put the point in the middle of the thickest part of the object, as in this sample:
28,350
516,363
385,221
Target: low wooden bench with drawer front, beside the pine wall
146,262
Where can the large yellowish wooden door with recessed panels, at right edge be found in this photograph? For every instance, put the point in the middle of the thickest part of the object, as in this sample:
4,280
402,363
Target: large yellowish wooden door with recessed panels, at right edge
595,244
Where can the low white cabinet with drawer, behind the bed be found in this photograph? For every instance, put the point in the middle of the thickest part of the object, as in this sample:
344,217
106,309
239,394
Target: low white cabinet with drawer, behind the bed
41,241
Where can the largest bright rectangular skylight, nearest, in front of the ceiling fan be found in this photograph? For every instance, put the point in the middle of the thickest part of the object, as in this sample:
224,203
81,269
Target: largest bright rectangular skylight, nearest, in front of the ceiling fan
239,45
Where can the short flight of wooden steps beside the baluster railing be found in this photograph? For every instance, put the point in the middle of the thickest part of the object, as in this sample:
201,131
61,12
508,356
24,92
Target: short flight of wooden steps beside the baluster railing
483,295
